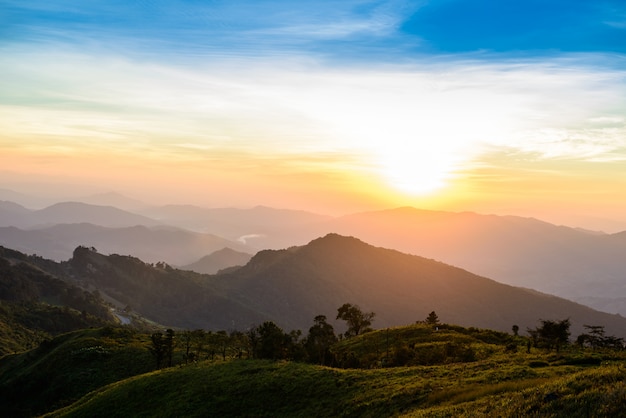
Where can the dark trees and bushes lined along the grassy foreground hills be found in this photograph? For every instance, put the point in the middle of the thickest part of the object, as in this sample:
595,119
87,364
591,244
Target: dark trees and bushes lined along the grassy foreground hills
269,341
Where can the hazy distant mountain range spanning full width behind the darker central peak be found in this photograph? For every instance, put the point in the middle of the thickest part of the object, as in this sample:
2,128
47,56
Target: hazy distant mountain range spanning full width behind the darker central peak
585,266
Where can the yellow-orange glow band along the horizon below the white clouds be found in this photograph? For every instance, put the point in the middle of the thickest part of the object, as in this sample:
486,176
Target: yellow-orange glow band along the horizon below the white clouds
217,182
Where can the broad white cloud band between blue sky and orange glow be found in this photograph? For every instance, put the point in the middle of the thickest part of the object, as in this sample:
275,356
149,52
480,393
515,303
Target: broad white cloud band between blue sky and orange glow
410,115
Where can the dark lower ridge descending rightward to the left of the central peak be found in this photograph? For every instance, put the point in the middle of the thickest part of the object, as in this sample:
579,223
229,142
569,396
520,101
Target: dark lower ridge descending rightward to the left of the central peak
159,292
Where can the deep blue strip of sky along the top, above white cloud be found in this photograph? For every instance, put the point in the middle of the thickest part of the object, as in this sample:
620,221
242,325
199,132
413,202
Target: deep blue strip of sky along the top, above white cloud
370,30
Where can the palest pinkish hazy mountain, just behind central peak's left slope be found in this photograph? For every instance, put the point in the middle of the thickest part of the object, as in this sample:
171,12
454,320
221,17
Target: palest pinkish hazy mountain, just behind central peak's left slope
260,227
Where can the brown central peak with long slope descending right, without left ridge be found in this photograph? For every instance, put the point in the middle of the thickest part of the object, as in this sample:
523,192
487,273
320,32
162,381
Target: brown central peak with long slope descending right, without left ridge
303,282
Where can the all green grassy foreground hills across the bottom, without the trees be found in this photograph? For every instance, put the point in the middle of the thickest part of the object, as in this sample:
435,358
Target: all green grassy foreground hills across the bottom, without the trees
107,372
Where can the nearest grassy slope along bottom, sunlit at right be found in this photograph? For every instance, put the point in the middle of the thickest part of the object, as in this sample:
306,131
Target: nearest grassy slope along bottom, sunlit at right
502,385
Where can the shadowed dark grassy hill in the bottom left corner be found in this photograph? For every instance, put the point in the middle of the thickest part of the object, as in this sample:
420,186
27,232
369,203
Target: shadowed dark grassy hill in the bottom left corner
62,370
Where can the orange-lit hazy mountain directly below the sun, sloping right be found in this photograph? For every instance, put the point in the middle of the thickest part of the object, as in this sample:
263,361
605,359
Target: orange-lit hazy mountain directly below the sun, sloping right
520,251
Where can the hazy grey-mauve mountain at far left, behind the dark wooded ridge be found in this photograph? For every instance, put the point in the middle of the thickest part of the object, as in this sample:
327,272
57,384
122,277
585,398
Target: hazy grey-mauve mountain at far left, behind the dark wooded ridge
152,244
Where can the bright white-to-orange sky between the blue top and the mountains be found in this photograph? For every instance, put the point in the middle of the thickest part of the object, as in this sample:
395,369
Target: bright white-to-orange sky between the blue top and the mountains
475,137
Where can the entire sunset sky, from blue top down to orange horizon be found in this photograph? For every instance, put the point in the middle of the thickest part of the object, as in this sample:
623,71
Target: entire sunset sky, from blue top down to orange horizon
507,107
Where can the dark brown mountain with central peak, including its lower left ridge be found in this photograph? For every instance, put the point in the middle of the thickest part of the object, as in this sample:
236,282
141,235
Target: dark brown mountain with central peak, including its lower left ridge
292,286
